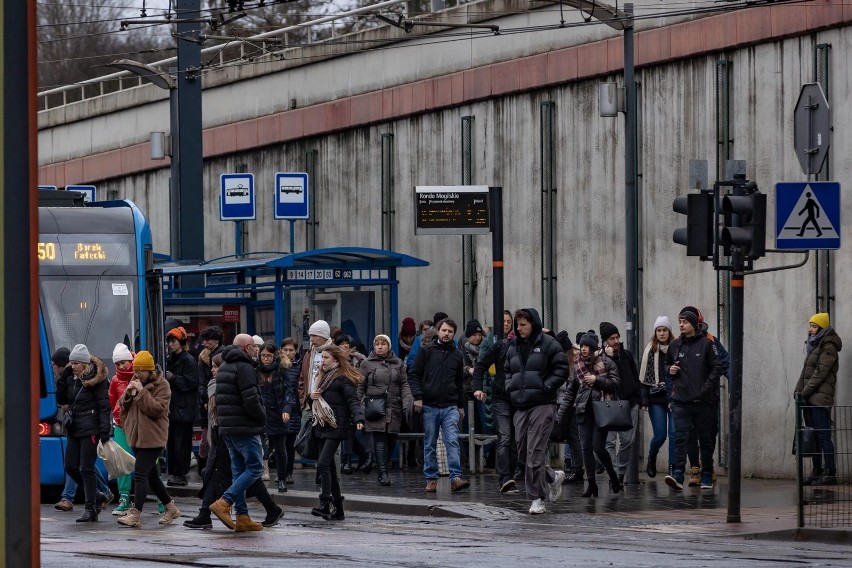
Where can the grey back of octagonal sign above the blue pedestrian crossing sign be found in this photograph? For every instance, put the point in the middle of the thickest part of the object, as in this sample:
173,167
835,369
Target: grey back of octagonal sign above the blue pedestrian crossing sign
812,128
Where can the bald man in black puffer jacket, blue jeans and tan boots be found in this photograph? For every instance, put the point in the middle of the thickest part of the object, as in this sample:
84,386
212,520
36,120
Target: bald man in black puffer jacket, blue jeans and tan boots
241,422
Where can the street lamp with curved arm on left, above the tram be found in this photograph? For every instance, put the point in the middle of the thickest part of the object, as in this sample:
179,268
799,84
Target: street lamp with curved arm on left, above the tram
167,82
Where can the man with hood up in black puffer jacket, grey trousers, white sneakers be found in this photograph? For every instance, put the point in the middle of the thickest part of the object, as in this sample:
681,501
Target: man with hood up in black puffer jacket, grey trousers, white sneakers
536,367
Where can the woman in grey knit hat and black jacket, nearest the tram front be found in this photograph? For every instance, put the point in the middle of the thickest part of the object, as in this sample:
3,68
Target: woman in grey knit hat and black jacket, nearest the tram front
83,386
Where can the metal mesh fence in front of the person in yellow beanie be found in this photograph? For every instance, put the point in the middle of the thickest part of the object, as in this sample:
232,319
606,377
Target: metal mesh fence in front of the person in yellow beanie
825,493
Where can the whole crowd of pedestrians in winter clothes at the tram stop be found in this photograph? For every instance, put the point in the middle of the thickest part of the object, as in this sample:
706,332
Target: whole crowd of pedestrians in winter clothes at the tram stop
529,387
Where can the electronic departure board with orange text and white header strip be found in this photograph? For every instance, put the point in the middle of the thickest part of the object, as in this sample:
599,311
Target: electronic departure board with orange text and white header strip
452,210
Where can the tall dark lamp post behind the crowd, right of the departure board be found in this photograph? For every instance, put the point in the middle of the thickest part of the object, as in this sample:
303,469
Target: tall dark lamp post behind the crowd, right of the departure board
631,233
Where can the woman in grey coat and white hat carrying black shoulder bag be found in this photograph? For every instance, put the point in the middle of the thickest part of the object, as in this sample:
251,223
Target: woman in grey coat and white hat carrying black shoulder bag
384,377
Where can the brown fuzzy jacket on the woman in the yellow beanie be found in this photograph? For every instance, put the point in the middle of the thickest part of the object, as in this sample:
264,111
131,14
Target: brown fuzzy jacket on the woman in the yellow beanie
145,415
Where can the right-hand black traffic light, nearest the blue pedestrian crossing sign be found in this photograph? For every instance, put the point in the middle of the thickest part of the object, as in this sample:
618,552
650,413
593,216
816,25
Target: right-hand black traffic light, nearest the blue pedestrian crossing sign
750,233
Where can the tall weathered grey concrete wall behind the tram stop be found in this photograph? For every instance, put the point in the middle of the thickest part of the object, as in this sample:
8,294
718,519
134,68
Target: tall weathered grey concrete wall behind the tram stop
677,123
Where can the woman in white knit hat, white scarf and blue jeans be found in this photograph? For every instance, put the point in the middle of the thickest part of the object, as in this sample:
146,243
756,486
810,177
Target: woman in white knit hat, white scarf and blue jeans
654,398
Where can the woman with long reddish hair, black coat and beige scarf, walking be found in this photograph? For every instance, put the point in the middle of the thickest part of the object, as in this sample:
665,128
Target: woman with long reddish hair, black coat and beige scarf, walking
335,407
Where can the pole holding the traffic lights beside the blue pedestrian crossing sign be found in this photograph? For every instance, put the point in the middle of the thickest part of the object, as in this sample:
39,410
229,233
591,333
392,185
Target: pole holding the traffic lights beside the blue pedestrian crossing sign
735,381
